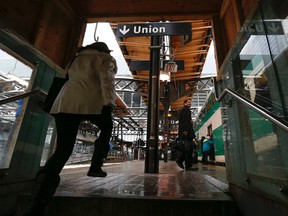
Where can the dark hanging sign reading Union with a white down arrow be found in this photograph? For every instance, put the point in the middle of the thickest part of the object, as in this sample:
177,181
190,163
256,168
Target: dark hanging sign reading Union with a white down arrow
153,29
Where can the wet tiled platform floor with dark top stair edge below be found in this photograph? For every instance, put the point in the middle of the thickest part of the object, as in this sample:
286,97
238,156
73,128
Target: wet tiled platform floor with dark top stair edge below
127,190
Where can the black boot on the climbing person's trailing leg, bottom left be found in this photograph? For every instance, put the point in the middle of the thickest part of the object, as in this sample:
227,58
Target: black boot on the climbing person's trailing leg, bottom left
42,192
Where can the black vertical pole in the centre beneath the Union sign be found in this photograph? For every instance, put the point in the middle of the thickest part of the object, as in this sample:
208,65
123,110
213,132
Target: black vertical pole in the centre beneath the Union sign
152,159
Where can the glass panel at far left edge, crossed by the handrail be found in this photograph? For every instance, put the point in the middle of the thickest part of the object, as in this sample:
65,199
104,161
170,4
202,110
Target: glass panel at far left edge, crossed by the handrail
14,78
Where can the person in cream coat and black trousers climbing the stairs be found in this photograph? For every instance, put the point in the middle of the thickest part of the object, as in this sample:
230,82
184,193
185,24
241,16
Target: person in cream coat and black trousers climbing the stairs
89,94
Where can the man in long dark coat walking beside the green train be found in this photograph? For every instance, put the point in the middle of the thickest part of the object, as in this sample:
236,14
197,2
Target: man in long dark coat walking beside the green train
187,134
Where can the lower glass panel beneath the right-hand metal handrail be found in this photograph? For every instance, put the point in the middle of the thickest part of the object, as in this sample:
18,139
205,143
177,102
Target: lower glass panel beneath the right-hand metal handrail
266,155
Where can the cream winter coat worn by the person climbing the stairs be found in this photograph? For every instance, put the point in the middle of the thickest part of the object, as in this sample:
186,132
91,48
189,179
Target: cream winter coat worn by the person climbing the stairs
90,86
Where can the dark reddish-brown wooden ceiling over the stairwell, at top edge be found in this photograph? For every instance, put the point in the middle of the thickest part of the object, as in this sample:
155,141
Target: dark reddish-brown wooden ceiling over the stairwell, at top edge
144,10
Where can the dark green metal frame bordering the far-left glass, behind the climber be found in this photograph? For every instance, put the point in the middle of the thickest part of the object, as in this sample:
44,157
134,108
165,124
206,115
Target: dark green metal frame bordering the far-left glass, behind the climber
26,157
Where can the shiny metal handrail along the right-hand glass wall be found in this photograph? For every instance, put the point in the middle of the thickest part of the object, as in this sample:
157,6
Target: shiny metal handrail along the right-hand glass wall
272,117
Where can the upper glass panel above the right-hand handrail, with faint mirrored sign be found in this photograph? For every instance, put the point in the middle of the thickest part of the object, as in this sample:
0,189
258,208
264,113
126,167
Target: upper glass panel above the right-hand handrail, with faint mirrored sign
260,60
